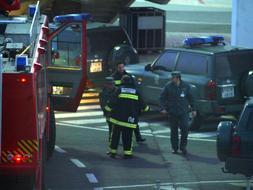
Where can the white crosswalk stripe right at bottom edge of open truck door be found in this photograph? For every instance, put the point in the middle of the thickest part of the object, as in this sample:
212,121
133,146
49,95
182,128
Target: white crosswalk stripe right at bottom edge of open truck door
78,114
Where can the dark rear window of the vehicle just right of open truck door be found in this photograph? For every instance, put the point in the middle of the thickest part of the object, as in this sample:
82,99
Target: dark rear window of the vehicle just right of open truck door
105,40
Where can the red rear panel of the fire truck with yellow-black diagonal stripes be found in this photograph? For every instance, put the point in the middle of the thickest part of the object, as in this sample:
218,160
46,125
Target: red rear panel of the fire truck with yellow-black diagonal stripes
20,137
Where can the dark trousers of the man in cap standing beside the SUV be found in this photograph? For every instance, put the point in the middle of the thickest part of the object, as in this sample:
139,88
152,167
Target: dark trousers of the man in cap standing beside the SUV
179,121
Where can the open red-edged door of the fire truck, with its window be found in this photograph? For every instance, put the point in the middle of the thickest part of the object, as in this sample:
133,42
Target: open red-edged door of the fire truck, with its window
67,66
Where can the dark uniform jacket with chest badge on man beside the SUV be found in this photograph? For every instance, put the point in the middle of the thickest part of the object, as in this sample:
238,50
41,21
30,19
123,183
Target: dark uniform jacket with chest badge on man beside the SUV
176,99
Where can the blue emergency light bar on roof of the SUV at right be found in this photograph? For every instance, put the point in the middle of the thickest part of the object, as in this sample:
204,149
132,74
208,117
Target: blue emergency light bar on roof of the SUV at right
211,40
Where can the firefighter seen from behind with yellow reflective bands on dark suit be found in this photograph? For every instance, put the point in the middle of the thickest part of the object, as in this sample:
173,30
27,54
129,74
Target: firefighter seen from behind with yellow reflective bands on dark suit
125,106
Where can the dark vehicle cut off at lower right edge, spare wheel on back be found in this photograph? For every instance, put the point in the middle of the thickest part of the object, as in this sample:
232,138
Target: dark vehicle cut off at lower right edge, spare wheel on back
235,142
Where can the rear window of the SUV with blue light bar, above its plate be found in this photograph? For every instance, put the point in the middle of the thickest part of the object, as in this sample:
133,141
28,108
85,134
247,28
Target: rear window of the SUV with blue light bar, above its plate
233,64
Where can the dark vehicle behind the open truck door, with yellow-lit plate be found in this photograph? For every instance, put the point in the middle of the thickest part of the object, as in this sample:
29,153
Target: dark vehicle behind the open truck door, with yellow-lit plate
107,45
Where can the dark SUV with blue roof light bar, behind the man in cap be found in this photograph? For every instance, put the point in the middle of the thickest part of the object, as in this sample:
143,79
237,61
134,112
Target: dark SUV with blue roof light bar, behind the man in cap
220,76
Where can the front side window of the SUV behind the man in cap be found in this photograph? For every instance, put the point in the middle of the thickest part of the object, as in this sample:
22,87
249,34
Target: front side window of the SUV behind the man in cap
166,61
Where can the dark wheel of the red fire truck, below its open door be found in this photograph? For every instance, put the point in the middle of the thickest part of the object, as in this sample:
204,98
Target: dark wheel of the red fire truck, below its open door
52,134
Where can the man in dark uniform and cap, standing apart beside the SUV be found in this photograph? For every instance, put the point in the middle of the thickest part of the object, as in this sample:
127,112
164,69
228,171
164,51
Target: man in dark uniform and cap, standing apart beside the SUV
176,101
